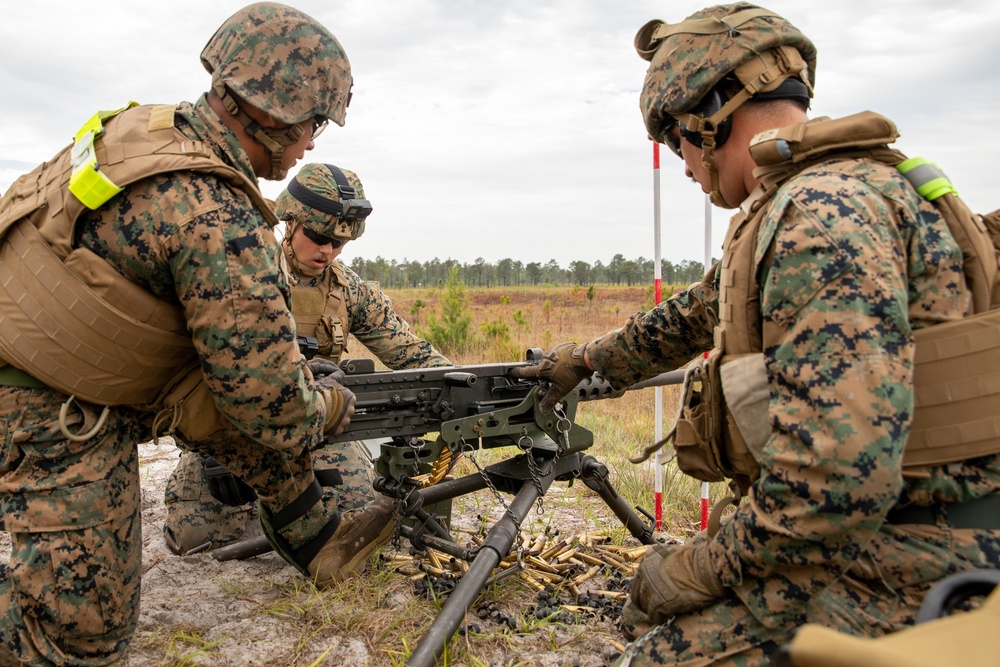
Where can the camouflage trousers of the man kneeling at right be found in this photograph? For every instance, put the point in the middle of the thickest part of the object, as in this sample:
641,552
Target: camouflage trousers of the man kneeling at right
879,594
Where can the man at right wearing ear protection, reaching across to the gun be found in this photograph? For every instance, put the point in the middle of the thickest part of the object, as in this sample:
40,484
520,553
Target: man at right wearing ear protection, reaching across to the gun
846,261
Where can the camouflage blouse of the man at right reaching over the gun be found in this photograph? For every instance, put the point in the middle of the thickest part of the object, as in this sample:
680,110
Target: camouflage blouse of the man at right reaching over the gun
858,260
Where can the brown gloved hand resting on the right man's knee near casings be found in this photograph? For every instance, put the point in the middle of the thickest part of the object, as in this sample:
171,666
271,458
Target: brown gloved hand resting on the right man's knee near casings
675,579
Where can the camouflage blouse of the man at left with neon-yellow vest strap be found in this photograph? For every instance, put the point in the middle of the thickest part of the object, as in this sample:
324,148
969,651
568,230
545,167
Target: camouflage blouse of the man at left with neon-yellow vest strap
192,238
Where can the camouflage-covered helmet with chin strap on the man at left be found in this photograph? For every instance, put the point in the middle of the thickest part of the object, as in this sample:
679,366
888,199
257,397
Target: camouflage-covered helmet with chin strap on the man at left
284,63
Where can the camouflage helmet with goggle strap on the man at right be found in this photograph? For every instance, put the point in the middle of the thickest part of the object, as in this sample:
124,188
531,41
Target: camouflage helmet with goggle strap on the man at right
703,68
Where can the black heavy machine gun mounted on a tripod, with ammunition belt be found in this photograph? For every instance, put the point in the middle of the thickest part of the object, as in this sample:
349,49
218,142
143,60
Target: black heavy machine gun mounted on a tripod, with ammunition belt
472,408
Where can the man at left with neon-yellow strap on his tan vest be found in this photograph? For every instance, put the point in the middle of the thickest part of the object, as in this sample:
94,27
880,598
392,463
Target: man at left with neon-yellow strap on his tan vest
195,243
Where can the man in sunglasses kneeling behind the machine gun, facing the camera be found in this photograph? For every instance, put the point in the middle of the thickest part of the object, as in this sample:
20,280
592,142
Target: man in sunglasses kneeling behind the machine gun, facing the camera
329,300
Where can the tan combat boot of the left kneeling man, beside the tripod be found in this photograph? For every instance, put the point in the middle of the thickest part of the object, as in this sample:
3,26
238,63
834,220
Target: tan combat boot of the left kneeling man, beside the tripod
360,532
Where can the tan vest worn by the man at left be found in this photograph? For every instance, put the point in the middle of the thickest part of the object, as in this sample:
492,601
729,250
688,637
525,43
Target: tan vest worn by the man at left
78,326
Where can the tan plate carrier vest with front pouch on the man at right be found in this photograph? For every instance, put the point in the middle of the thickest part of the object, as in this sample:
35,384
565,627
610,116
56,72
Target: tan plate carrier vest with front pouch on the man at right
957,364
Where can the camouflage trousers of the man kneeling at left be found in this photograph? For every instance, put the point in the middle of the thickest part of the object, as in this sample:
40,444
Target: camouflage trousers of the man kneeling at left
70,591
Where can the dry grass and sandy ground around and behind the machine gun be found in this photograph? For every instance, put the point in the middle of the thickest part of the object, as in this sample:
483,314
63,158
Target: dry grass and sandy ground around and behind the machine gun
197,611
